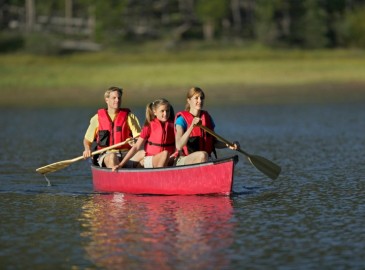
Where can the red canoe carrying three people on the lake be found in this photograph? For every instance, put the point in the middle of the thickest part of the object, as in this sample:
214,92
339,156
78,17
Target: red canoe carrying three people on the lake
213,177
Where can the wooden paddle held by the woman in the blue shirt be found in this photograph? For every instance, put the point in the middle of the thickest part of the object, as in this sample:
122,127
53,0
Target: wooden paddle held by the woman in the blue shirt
262,164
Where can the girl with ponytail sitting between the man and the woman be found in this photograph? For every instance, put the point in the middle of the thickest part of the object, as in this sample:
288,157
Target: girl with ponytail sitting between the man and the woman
157,136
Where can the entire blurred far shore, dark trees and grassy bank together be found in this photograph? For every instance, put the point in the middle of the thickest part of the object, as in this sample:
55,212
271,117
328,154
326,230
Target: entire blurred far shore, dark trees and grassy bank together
59,51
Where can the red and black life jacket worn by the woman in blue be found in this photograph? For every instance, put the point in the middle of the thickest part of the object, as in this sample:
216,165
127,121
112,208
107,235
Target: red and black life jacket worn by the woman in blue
199,140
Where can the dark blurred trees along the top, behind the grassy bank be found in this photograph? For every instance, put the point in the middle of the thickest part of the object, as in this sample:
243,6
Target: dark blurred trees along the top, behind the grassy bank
308,24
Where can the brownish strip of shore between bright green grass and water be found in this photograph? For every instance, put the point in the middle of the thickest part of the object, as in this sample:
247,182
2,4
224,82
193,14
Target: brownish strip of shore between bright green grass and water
216,96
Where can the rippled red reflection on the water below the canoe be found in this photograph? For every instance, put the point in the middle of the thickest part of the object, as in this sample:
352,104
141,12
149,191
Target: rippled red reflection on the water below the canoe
130,231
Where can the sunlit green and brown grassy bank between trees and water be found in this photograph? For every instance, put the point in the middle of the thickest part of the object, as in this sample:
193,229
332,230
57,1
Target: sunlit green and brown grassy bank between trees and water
229,76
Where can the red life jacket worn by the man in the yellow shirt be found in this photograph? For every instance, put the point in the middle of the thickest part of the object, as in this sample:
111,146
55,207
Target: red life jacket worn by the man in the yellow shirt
113,132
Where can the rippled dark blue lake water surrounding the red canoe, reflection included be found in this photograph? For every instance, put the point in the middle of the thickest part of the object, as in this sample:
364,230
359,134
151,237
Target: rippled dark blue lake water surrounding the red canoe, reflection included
311,217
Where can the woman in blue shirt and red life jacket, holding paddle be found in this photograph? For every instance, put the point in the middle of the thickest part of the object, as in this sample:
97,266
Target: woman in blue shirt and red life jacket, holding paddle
192,142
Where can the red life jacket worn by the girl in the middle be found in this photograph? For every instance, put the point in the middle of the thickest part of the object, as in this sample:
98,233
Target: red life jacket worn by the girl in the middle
162,137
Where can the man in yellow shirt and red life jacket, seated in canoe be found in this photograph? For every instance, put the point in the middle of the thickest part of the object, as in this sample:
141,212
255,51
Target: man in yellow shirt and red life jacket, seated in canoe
111,126
